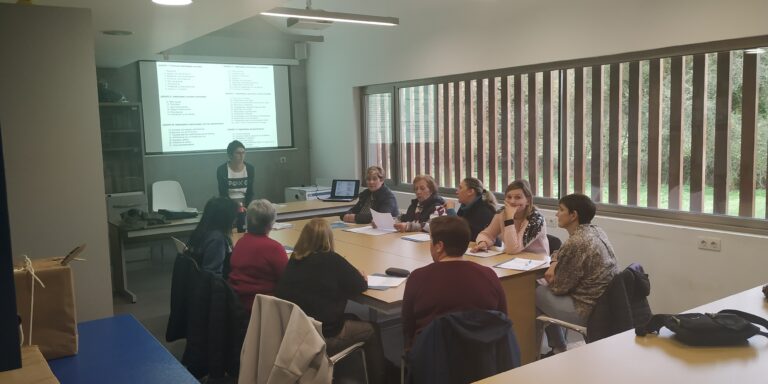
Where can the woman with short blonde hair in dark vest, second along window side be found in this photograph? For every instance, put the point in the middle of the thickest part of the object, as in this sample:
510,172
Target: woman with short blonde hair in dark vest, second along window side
422,206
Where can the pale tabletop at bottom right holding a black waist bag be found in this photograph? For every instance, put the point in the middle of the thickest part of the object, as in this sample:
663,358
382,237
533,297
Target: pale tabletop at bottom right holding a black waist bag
629,359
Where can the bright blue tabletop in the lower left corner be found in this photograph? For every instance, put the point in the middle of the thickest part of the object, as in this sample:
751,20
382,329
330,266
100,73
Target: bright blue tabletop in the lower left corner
119,350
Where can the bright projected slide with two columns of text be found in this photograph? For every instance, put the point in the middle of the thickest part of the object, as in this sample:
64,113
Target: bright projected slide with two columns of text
205,106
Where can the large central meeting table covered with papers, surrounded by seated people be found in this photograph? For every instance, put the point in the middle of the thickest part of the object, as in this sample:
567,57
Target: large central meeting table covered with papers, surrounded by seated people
374,254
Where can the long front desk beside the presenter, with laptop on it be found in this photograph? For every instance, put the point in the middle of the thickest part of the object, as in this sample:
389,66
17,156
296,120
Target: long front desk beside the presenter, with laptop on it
119,238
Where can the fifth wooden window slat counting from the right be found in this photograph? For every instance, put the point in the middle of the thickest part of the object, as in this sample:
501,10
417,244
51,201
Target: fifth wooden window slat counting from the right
655,79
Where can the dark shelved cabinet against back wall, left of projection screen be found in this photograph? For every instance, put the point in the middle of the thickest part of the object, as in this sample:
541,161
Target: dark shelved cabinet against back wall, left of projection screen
121,146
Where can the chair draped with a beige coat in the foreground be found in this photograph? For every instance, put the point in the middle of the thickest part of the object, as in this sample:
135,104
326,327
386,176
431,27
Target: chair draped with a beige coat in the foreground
273,318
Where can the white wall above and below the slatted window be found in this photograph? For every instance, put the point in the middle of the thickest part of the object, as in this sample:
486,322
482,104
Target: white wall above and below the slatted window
441,37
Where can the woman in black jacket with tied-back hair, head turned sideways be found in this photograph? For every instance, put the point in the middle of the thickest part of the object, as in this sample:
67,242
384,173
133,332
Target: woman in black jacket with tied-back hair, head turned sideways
478,205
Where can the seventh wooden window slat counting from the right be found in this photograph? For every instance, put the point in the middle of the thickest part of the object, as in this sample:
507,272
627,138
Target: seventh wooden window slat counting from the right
614,137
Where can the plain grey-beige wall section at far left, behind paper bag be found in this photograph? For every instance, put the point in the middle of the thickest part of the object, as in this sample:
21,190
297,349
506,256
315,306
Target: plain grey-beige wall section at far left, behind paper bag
52,144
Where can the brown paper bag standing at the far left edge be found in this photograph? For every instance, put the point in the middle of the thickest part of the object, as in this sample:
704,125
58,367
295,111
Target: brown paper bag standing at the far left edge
52,309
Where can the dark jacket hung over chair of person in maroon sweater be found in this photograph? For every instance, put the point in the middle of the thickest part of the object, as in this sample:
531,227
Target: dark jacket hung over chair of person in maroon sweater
465,346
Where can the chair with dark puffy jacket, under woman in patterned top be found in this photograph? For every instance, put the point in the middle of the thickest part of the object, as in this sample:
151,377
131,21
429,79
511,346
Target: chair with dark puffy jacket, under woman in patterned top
622,306
